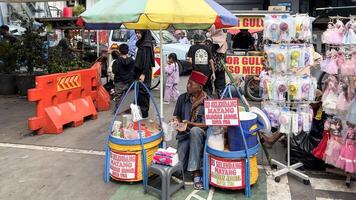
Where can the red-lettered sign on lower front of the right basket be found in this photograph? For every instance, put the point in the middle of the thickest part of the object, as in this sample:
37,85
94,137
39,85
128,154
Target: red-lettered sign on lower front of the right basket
226,173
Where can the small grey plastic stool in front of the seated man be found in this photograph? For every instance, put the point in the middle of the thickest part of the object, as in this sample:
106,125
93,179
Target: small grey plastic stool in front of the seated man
165,172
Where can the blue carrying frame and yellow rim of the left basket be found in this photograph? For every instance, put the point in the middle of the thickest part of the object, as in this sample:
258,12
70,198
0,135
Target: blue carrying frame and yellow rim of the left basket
142,145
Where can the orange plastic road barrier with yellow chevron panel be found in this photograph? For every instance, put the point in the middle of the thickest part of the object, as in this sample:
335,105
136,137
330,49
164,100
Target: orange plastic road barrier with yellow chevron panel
66,98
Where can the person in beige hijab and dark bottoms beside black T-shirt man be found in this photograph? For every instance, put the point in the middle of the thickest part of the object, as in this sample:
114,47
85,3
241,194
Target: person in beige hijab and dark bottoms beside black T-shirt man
218,49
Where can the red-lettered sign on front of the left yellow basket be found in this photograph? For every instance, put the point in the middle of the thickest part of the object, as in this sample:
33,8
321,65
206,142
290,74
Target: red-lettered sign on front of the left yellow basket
123,166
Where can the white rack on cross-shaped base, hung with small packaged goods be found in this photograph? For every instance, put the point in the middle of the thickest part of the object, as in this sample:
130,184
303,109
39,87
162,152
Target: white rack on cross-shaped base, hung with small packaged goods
286,94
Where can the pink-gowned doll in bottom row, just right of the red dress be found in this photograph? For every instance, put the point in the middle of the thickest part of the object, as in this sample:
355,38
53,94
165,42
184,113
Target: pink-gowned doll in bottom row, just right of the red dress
333,148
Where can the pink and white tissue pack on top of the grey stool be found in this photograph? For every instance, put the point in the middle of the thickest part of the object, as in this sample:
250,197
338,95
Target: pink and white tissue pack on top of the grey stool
166,157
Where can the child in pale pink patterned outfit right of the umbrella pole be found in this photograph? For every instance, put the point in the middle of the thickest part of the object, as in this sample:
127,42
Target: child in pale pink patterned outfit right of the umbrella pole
171,91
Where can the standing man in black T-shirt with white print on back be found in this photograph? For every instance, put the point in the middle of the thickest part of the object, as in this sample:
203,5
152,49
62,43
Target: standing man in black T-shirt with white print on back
199,55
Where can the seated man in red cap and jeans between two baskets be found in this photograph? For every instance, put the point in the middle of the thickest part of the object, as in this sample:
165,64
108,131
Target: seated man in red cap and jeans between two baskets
189,113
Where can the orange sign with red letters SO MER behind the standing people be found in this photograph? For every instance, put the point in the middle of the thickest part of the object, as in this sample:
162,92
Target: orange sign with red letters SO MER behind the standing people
244,65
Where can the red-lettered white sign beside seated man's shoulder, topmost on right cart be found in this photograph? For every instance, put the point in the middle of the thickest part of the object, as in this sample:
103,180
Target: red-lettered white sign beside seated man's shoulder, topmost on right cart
222,112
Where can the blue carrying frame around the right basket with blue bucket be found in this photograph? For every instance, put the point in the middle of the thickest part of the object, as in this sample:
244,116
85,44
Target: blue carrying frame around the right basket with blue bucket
245,154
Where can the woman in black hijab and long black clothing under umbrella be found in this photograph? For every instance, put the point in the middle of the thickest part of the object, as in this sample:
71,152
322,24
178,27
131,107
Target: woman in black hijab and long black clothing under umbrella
143,67
